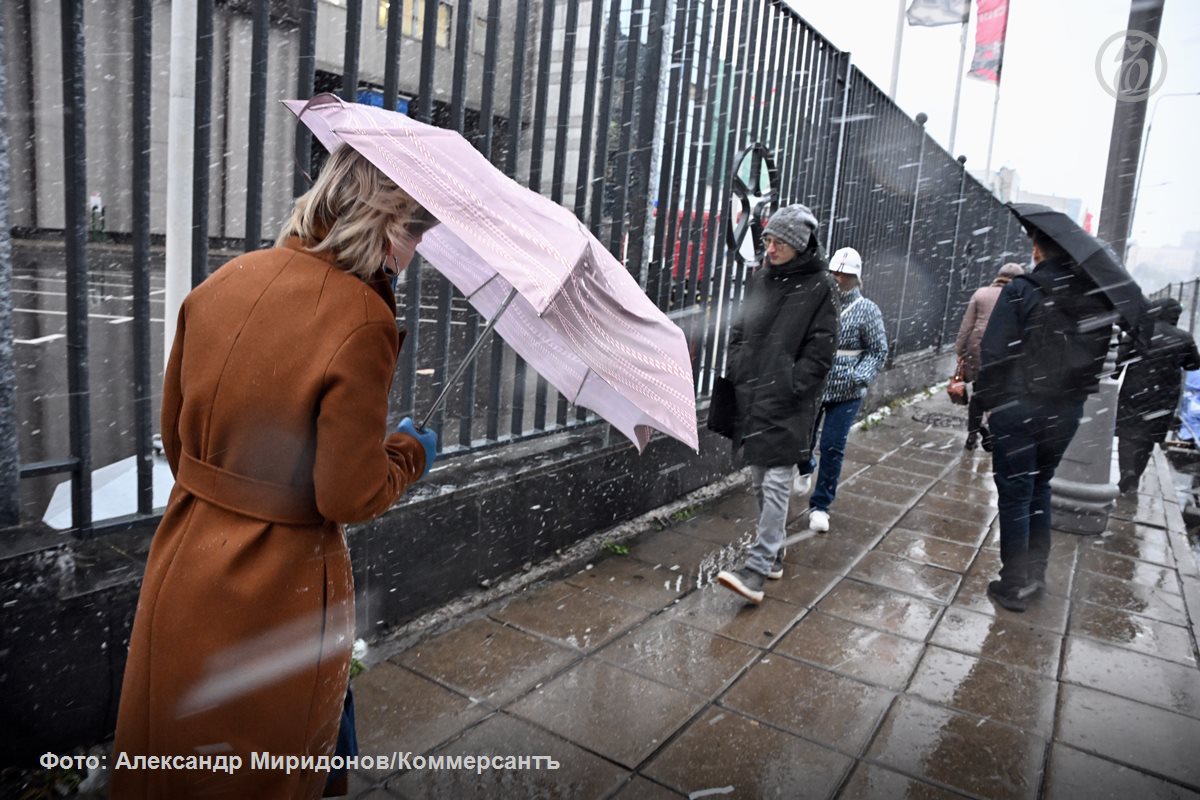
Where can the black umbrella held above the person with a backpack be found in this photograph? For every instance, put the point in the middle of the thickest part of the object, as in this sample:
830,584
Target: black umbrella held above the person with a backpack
1094,257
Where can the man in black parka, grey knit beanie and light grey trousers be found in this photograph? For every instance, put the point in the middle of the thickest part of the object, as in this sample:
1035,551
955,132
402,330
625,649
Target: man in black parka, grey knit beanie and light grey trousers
782,348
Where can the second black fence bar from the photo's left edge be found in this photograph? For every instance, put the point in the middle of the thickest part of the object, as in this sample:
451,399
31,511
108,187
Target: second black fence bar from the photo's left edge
75,179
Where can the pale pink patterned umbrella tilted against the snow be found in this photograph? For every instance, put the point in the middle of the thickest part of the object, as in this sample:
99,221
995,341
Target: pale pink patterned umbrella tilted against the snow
556,296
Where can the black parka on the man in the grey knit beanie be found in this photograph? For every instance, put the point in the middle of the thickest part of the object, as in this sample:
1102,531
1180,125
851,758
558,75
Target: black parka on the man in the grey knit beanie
782,347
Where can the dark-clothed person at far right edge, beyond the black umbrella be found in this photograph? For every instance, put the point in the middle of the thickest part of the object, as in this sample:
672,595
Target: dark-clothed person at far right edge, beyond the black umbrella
1150,392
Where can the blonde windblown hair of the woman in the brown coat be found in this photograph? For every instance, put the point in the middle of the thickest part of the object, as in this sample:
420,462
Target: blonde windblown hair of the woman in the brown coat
355,213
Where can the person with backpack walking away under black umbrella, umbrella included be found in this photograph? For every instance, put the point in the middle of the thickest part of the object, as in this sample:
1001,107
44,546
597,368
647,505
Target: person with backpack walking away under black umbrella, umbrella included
1041,357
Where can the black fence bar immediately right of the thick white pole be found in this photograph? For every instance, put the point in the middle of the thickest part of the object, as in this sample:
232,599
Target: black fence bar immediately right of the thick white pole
202,122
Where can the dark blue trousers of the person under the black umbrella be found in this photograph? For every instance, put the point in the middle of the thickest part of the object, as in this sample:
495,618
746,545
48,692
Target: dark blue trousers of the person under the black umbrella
1029,440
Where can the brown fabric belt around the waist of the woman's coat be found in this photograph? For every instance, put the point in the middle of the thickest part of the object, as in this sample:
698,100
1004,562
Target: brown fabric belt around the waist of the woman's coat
291,506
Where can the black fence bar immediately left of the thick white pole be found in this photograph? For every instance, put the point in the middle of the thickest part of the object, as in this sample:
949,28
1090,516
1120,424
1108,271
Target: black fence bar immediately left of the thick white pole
140,196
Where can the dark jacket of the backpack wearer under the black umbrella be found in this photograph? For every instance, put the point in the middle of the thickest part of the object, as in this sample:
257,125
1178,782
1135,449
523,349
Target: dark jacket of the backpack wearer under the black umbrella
1004,353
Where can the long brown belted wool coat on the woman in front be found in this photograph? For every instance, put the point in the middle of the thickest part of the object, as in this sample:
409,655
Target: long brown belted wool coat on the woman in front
274,420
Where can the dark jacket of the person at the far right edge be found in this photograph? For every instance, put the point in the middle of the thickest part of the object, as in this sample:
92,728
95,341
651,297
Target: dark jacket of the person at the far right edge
1150,392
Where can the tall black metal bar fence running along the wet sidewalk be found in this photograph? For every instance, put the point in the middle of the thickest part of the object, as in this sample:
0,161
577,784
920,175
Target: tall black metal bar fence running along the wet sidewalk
662,123
